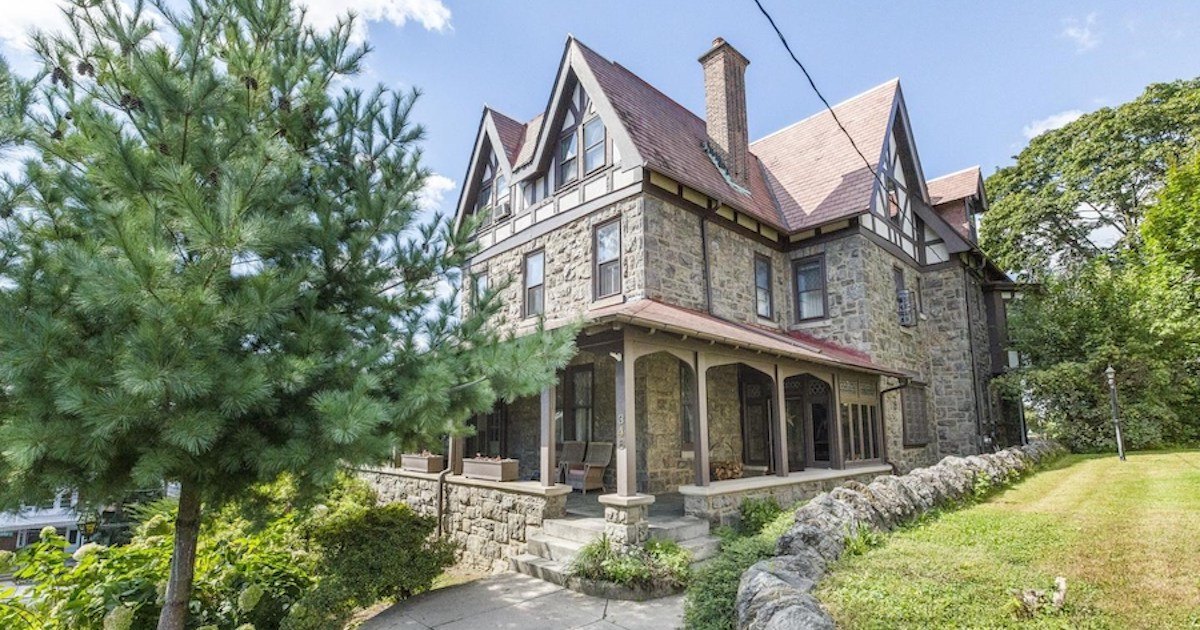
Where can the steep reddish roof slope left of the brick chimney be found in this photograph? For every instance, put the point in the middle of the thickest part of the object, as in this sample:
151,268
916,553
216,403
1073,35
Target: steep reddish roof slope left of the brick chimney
671,140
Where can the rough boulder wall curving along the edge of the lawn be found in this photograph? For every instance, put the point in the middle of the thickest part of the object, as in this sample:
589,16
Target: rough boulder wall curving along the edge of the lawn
778,593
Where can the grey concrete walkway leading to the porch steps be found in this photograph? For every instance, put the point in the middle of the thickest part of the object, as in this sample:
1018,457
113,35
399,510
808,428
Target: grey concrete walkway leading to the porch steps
515,601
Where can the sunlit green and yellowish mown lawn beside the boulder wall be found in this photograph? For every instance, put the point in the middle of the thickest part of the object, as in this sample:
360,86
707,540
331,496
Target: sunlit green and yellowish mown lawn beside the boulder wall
1126,536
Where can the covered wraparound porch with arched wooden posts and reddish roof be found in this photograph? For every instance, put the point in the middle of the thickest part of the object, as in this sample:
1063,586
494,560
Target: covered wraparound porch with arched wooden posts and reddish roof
782,416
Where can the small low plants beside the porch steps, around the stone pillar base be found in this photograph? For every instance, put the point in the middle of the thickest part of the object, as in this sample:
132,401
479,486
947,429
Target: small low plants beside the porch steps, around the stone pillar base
659,563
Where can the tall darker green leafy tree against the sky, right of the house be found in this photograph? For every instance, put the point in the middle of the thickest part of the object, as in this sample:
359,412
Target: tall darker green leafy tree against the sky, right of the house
1100,172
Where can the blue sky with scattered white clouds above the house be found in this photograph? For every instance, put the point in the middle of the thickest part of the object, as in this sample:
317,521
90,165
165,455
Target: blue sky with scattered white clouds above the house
980,79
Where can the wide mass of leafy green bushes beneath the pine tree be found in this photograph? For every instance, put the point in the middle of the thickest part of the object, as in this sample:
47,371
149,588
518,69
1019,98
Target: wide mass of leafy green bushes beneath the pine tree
263,572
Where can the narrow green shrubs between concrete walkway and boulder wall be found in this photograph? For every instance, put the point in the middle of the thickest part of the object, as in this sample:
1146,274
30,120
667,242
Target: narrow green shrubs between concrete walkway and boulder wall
713,591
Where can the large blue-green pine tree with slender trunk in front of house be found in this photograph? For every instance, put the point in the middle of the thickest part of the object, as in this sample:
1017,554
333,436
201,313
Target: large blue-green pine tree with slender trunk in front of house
214,268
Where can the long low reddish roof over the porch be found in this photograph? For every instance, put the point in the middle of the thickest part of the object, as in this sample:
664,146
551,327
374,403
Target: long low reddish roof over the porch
656,315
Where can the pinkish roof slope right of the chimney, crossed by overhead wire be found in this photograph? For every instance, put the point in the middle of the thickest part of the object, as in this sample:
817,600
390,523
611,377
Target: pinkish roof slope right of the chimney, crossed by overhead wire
815,172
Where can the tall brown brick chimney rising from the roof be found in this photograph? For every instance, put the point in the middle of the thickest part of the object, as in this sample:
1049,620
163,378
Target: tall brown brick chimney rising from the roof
725,109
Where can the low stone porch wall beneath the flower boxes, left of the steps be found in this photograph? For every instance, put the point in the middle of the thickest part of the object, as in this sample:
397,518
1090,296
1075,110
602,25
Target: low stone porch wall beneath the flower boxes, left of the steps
489,524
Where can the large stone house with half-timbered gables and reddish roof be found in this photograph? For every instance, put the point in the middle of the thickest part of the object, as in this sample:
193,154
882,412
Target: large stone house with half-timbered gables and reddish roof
760,319
